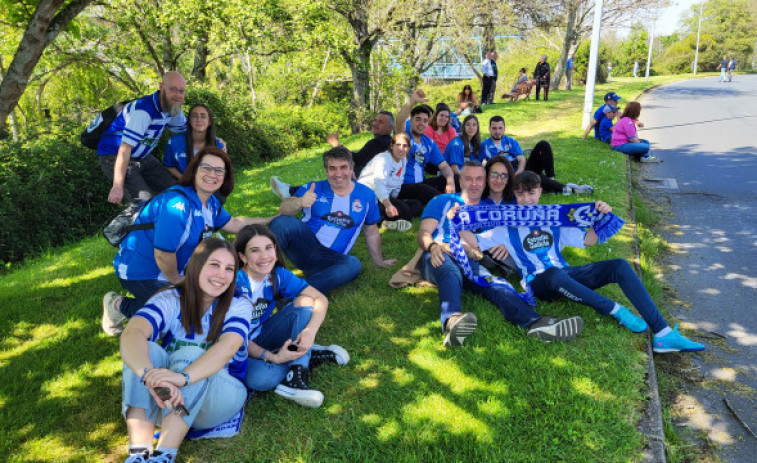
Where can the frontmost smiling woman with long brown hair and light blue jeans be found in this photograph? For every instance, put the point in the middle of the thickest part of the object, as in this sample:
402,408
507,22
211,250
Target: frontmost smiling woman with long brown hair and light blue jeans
195,377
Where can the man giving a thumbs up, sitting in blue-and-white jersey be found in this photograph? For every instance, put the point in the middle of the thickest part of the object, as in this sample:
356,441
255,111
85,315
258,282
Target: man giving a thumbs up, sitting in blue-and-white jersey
333,213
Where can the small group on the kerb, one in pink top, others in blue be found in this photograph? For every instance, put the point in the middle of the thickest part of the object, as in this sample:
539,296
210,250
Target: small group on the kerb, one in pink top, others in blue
621,136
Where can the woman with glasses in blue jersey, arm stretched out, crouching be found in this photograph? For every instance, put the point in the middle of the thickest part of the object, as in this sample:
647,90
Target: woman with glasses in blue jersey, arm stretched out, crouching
175,222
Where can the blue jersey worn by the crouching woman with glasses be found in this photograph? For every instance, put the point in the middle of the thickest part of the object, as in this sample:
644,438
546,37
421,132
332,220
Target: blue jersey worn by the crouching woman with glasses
181,223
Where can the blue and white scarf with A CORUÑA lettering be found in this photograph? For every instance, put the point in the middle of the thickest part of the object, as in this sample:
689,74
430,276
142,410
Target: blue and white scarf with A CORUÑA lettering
580,215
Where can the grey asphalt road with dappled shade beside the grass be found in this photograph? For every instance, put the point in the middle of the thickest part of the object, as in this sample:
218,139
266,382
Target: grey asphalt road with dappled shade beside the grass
705,132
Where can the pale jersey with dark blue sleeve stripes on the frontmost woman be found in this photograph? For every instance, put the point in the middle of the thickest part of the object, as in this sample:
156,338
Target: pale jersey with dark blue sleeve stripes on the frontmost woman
163,311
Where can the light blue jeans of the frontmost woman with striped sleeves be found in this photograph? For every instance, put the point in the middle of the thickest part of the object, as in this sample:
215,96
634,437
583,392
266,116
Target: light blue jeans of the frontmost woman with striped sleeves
210,401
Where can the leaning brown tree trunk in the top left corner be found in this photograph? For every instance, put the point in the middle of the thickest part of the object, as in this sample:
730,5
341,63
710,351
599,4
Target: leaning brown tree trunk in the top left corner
43,27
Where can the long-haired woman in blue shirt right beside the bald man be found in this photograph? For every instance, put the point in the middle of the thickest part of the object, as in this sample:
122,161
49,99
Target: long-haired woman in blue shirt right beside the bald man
201,132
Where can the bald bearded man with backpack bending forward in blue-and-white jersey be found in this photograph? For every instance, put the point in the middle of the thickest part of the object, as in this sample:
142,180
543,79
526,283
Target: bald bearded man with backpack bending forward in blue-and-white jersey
125,148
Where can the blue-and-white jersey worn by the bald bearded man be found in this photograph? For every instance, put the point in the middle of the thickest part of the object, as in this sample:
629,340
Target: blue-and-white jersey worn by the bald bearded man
140,124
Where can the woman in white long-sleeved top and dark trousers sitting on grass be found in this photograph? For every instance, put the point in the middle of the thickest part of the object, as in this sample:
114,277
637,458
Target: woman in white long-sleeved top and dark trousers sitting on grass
384,175
